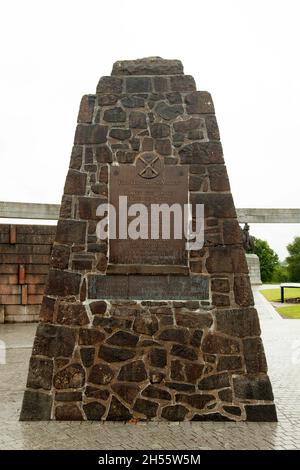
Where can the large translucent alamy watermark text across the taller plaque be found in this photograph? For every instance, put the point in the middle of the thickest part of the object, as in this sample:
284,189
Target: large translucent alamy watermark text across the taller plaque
157,221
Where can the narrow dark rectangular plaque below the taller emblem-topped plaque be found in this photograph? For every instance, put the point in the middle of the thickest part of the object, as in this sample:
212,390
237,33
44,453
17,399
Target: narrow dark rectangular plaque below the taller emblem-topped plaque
143,287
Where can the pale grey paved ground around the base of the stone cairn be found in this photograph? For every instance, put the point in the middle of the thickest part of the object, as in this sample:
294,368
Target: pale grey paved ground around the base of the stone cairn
282,344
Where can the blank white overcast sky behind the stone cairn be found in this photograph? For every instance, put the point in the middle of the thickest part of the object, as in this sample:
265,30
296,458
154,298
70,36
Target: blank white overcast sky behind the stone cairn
245,52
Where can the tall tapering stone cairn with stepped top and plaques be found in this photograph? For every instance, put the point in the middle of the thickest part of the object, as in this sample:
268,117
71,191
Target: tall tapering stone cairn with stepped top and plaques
144,329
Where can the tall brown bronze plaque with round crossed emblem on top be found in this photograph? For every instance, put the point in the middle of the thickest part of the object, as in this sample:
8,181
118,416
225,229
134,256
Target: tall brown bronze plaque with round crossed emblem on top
149,182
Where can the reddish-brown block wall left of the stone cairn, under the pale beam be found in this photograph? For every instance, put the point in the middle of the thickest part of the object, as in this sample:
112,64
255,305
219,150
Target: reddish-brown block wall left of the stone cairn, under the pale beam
24,264
